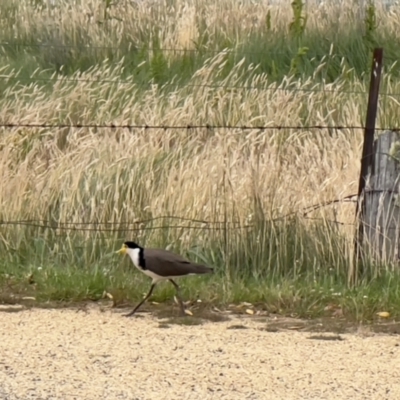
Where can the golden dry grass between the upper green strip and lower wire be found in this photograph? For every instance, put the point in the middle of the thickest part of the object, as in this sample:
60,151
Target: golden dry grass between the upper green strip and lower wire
125,175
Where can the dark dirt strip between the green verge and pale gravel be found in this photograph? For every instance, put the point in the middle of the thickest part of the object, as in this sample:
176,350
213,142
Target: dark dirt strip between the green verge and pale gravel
168,315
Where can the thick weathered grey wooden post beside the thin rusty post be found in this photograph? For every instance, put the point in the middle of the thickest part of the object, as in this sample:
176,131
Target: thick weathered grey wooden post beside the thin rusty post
381,218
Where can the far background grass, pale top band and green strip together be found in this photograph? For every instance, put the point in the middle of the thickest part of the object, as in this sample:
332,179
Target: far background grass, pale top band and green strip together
164,40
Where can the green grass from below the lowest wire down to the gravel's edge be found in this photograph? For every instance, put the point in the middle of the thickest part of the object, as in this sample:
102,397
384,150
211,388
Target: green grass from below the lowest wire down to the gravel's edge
296,277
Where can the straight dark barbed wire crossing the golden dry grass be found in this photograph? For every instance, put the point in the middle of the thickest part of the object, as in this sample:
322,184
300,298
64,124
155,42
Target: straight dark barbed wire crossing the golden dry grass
187,126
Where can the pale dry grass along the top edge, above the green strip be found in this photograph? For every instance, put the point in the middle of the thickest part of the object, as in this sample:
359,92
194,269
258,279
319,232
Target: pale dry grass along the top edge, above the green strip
174,23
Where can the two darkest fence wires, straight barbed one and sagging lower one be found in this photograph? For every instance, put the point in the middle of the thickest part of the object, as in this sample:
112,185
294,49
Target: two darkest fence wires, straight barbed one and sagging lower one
181,223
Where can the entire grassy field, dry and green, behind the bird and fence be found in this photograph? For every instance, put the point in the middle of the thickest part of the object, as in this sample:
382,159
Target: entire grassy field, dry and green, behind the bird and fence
229,197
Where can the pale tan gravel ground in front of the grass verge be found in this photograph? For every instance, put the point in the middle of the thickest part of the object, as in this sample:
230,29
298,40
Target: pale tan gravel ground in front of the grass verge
99,354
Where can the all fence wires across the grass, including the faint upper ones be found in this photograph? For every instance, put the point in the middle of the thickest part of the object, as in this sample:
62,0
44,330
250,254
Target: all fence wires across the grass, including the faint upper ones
182,223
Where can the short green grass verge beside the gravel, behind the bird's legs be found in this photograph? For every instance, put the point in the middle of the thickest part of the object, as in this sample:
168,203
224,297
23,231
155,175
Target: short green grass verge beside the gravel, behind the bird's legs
304,297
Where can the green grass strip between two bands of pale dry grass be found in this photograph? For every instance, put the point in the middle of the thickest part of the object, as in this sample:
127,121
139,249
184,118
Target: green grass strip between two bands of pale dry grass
277,58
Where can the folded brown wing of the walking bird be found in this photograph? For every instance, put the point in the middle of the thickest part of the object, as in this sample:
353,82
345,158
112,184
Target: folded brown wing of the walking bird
165,263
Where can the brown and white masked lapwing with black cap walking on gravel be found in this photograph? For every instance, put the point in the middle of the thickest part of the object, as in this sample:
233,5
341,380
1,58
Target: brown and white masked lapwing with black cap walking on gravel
161,265
